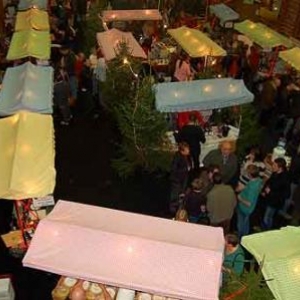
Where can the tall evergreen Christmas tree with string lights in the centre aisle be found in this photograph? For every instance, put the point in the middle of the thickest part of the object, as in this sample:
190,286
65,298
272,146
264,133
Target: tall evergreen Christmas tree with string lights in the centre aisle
129,97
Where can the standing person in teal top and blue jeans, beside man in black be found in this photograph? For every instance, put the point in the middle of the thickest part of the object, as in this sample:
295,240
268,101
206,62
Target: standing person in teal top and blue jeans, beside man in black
247,199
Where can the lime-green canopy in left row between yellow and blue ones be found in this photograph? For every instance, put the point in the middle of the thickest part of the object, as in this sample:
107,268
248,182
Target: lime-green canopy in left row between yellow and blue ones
29,43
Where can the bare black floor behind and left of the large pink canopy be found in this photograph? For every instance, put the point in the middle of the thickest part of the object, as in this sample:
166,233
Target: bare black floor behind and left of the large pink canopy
83,161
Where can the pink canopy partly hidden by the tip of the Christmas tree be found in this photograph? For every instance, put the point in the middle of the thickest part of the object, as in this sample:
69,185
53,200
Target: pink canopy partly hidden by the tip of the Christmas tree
109,41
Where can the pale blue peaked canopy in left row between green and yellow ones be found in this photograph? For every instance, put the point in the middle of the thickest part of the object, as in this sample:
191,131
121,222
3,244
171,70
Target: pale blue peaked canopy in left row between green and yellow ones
27,87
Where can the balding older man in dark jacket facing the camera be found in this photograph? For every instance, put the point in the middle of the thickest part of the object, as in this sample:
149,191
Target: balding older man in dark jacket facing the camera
225,158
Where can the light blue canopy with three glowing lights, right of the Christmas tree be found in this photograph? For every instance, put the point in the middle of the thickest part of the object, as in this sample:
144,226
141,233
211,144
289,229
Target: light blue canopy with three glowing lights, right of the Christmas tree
201,94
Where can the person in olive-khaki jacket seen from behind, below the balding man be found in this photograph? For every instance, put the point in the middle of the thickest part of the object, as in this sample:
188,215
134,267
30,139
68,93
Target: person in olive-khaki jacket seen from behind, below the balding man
221,202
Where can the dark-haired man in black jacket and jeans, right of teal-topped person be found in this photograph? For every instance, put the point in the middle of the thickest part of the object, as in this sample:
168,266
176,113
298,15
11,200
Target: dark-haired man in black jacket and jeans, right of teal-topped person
276,190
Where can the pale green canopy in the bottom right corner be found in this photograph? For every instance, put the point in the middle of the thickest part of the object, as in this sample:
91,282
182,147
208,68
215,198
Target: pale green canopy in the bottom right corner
278,251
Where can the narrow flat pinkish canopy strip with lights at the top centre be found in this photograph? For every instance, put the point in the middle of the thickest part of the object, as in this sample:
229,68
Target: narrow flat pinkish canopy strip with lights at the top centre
128,15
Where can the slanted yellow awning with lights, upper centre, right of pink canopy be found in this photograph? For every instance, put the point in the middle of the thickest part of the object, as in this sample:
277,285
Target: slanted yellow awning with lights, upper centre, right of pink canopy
196,43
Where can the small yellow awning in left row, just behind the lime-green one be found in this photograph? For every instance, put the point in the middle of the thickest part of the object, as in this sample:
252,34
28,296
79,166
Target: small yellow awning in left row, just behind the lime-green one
32,19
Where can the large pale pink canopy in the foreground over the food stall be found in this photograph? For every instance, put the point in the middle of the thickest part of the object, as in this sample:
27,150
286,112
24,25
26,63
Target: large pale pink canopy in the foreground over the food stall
127,250
